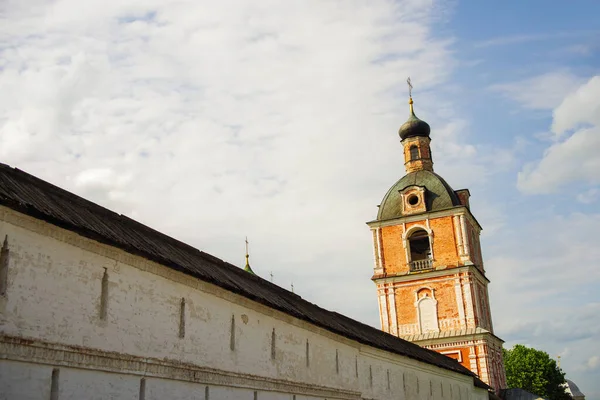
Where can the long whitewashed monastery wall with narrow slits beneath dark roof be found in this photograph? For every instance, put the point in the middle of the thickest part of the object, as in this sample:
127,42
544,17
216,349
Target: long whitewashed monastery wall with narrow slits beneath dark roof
54,343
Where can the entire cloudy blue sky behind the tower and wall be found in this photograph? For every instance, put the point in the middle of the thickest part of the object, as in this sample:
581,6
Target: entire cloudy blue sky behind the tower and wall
213,121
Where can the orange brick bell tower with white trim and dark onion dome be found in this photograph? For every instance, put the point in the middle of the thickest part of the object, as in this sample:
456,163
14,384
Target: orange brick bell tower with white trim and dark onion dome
429,271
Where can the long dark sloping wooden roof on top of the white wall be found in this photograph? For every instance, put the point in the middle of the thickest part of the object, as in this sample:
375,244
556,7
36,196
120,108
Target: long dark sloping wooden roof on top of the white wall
29,195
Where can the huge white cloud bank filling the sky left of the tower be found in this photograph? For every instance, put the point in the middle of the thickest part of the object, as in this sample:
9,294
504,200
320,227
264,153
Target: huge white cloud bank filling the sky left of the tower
211,121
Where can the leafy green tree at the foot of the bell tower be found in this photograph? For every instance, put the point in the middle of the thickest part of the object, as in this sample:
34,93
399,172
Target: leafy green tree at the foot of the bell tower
533,370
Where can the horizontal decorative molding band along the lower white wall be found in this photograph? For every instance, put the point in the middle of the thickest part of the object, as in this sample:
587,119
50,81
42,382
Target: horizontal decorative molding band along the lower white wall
40,352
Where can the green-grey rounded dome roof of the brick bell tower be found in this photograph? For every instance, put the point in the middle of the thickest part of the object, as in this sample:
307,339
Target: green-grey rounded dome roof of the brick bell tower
438,196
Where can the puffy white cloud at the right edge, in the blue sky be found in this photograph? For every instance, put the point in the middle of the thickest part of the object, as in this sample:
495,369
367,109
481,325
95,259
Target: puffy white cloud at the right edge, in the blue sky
574,159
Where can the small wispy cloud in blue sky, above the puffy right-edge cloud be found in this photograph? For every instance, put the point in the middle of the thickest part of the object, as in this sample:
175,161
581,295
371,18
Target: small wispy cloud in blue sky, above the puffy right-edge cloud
541,92
